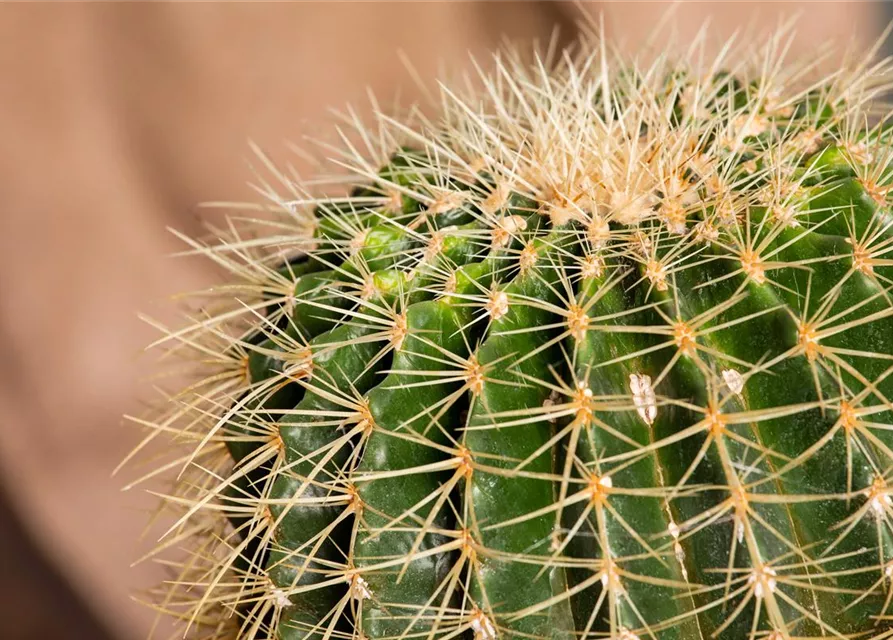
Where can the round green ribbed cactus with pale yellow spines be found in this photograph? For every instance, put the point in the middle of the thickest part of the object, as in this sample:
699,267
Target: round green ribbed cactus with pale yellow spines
604,350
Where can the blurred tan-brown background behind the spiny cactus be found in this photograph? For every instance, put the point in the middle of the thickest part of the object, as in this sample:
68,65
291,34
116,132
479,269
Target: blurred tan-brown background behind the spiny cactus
116,119
